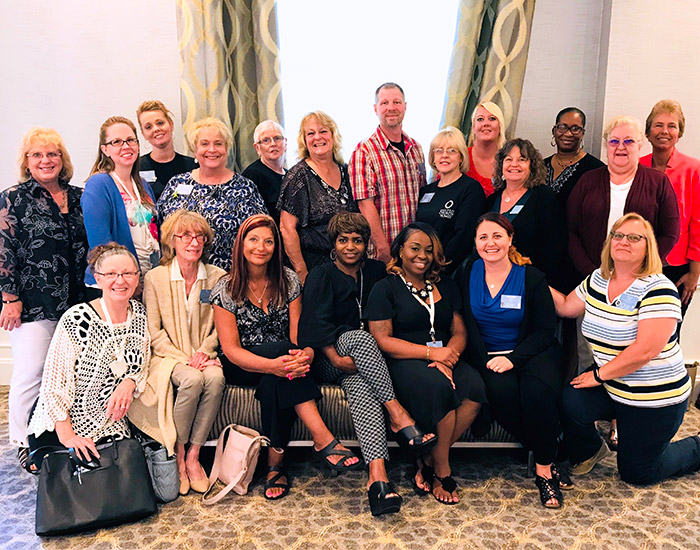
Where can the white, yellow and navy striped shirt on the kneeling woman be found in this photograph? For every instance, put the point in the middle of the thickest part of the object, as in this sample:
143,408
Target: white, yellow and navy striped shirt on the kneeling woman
610,327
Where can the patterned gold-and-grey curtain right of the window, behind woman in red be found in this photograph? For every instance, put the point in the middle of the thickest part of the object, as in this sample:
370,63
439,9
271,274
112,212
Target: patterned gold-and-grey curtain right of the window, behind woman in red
488,60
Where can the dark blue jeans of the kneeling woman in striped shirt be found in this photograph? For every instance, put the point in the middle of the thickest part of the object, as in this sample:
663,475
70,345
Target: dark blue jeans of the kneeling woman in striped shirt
645,454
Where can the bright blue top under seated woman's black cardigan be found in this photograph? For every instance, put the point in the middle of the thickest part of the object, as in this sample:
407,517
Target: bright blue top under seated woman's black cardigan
498,318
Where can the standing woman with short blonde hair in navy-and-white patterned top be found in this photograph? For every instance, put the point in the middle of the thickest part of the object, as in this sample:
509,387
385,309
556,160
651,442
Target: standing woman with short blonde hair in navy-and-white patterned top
222,197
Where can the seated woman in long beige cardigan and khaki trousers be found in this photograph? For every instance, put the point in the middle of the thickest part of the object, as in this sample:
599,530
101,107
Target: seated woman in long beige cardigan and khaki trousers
185,380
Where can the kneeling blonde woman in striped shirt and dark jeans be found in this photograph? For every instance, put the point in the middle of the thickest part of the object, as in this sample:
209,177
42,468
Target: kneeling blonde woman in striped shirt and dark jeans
639,376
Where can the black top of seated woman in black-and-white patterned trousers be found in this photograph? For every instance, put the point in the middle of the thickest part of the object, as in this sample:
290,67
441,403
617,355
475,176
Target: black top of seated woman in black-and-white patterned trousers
330,302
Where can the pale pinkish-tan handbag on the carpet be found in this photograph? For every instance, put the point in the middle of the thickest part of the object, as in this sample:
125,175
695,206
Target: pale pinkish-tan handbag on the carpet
236,456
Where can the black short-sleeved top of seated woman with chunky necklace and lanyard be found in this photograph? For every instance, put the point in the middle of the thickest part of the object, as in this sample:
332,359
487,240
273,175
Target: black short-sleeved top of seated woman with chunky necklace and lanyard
390,299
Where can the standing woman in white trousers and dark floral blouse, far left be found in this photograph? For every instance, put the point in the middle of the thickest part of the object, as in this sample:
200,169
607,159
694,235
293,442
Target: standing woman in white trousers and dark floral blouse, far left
42,263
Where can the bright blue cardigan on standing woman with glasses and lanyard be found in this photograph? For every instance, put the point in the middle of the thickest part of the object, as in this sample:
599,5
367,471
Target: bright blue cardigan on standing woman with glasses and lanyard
105,215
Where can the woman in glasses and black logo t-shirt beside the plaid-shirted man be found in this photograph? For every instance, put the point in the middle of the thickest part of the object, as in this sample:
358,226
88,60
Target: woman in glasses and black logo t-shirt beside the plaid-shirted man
452,203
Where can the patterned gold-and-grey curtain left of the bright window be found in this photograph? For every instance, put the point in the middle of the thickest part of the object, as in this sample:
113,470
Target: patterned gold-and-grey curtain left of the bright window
229,66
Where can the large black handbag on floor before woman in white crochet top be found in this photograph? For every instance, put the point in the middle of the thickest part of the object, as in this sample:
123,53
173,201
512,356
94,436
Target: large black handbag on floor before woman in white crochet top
75,496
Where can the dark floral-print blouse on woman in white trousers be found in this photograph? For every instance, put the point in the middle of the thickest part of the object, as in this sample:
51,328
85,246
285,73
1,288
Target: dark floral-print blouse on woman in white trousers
43,253
